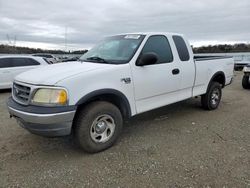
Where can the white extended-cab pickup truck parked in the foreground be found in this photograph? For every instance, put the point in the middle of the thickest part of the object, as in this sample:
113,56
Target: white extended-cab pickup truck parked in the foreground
122,76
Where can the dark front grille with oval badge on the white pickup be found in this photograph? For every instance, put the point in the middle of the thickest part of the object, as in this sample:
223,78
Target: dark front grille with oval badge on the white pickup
21,93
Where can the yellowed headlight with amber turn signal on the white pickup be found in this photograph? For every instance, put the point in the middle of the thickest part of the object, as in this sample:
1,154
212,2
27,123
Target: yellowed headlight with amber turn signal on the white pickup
47,96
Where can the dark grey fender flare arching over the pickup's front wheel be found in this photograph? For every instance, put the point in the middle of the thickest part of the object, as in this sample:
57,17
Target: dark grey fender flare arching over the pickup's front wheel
123,99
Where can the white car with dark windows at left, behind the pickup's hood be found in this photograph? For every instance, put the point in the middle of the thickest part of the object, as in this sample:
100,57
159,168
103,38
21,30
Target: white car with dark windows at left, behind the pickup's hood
11,66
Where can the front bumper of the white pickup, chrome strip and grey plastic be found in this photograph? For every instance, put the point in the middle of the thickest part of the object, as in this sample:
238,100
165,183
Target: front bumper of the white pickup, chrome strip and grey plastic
44,121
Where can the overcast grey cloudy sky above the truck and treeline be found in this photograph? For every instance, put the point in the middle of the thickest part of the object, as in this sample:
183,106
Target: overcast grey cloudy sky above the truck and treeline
49,23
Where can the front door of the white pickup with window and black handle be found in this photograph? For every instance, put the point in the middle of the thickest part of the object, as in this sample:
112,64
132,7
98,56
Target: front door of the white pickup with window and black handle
156,85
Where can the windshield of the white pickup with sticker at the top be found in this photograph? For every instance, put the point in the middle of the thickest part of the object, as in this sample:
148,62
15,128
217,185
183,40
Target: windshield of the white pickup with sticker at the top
114,50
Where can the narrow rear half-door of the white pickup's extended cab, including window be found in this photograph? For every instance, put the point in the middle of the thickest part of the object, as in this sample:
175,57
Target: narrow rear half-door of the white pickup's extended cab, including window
186,66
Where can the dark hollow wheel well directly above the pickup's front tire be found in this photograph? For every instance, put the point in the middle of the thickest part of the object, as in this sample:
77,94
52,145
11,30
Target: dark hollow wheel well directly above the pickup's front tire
119,101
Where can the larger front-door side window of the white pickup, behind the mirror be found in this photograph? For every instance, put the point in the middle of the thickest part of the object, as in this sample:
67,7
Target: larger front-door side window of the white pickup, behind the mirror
159,44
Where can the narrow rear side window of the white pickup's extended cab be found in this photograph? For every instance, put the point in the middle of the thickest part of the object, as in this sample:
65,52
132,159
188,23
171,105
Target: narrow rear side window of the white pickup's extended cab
181,48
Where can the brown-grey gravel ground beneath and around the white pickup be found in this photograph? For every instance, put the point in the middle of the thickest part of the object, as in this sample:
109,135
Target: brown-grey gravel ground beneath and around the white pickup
180,145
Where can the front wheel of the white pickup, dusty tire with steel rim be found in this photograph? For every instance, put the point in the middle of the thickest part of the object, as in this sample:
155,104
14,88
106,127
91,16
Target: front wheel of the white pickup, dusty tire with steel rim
97,126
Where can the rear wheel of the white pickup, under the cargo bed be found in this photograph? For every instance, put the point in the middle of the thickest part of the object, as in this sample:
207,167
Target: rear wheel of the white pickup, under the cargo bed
211,100
